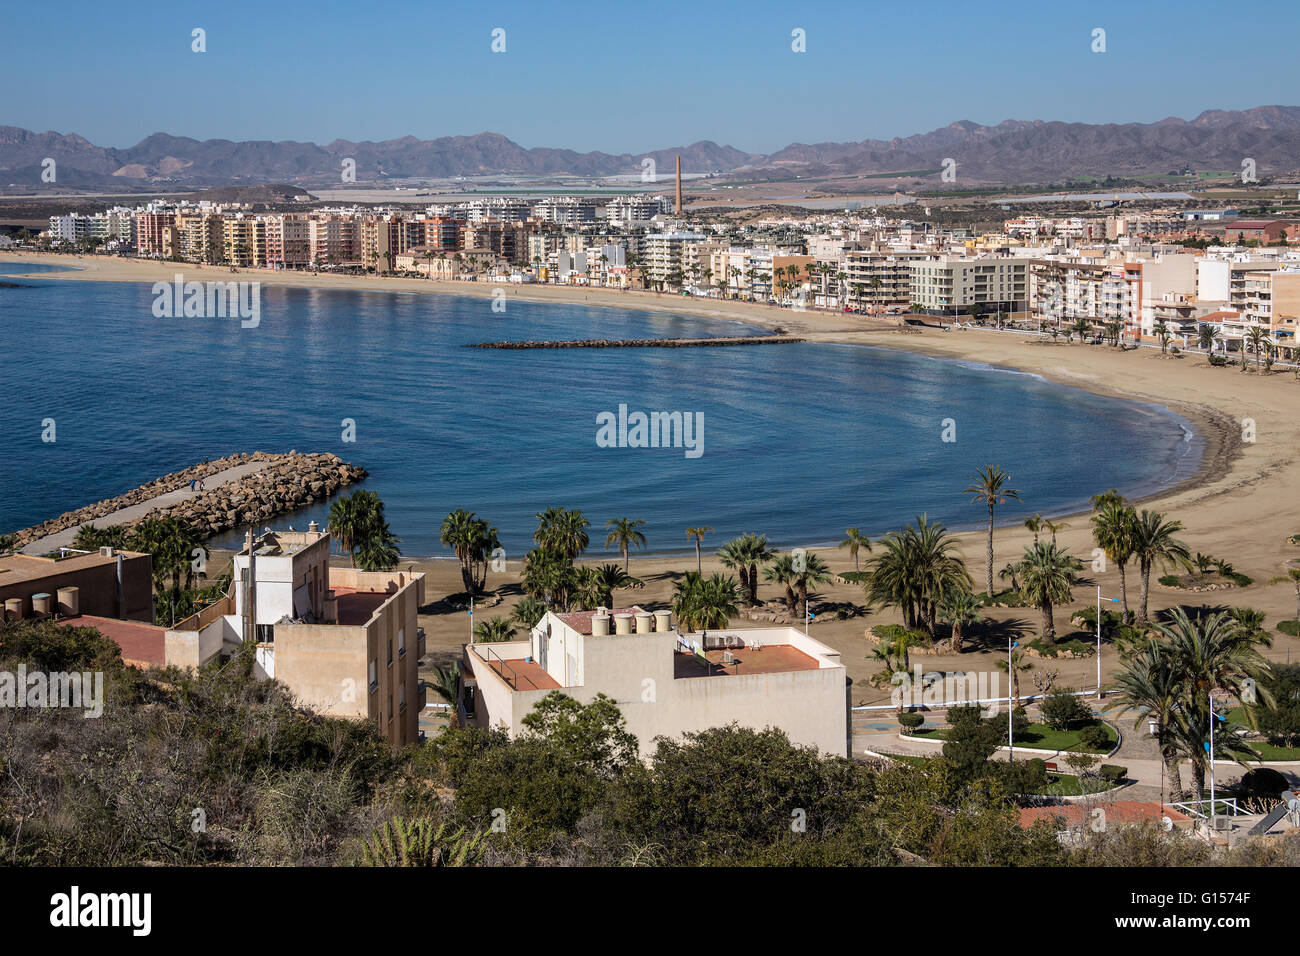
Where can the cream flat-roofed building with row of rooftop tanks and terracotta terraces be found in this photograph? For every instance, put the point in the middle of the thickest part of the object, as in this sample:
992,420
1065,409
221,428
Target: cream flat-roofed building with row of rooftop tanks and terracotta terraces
665,682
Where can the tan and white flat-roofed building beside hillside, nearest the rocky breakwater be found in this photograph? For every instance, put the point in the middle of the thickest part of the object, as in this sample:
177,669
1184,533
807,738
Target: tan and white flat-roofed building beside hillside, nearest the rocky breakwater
345,642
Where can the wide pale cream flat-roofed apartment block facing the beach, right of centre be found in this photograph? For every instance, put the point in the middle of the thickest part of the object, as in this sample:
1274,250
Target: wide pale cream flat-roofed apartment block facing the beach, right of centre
950,284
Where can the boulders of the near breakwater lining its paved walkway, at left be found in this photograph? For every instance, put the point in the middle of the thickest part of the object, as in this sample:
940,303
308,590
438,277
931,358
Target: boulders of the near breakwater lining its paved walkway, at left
284,483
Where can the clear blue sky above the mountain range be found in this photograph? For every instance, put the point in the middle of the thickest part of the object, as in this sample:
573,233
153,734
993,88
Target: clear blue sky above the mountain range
629,76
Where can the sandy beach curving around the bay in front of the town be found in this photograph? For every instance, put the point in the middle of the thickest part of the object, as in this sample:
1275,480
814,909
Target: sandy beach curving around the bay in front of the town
1242,505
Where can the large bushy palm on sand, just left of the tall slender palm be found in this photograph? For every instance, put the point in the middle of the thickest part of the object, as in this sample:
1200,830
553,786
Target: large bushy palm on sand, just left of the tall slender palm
915,570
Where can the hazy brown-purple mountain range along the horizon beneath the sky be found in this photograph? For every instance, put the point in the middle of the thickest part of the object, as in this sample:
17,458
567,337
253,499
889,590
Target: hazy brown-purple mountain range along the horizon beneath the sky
1015,152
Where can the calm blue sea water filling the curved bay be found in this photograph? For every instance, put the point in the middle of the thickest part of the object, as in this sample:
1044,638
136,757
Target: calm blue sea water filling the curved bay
800,442
